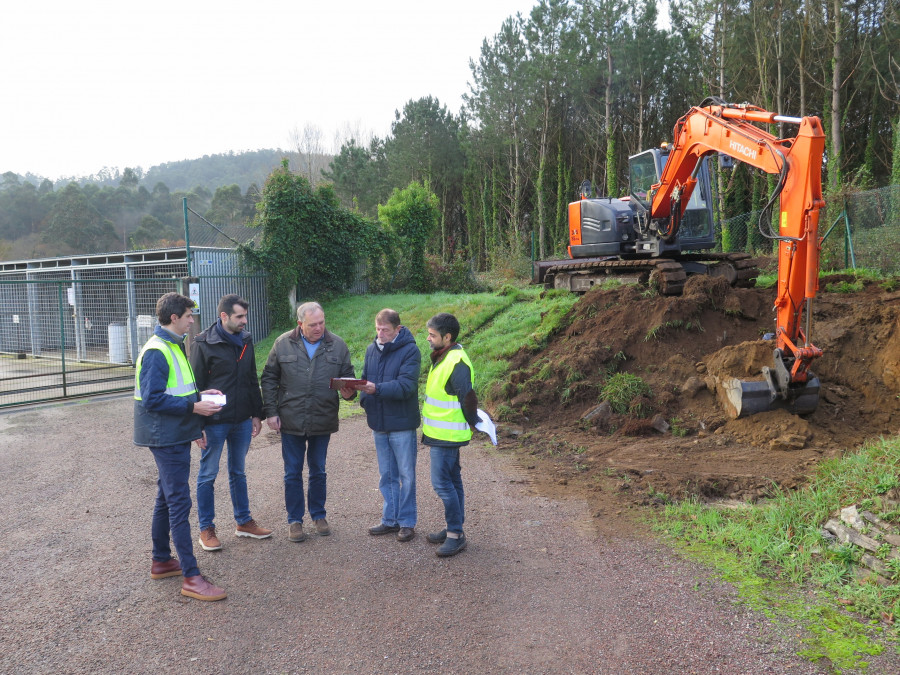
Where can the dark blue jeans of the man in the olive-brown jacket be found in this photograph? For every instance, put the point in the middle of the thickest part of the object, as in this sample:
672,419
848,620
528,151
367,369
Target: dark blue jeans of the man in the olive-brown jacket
293,449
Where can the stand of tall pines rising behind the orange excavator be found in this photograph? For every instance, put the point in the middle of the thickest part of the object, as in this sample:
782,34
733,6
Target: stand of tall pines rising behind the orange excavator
570,91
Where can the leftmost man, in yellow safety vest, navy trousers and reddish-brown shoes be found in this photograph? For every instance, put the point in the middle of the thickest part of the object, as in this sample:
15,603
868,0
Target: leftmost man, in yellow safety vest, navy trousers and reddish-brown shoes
167,411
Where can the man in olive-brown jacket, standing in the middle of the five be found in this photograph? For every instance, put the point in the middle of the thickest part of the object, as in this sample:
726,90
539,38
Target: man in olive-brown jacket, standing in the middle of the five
298,402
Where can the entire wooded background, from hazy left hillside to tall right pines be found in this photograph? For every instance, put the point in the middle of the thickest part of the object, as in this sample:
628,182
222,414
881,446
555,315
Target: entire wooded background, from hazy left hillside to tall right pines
564,94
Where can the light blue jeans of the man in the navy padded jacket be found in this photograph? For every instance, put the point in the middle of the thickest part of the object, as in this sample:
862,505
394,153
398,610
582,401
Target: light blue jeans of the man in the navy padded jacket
396,451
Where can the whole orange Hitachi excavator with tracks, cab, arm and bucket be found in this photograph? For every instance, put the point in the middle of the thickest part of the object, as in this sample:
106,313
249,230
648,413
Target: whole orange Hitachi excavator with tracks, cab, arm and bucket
669,214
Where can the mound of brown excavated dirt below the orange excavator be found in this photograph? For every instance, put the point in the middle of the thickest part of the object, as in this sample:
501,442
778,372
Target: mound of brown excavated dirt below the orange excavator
684,443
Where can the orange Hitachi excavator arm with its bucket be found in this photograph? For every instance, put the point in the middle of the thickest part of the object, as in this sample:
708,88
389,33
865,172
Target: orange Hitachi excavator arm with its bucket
728,129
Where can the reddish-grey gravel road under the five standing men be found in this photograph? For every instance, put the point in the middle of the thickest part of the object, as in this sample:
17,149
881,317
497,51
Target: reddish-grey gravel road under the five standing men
537,590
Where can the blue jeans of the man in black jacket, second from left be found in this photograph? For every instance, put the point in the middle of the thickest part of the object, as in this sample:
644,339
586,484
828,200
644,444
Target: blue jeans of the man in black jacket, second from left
238,438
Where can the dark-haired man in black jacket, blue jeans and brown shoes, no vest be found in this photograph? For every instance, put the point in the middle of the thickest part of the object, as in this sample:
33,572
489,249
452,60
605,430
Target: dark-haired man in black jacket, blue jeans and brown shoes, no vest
222,357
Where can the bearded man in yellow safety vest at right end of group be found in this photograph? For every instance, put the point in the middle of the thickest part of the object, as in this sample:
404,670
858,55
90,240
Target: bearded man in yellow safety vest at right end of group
448,416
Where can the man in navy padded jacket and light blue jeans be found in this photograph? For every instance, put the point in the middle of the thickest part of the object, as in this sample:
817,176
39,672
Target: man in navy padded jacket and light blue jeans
390,398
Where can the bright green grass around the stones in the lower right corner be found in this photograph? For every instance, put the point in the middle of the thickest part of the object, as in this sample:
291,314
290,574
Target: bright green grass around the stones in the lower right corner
762,546
